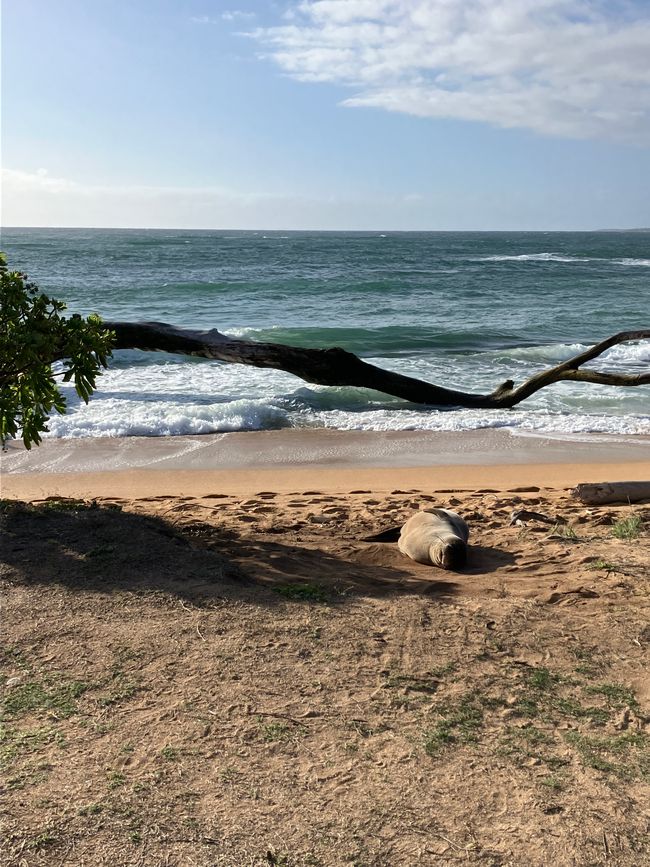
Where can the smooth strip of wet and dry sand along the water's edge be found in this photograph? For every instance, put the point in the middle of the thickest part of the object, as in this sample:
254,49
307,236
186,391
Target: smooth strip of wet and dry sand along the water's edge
295,460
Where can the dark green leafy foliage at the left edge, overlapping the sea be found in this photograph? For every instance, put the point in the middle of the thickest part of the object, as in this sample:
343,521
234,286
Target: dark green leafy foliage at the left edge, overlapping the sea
33,335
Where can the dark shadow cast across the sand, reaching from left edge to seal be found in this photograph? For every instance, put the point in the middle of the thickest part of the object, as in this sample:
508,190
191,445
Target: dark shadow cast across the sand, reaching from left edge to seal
103,549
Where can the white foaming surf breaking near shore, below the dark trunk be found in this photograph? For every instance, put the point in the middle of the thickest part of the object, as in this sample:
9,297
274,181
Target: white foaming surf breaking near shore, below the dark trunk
190,397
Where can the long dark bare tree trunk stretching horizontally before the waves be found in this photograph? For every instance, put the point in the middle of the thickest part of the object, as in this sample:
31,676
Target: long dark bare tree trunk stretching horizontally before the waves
338,367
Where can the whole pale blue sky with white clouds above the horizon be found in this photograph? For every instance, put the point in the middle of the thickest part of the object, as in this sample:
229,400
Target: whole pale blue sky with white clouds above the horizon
334,114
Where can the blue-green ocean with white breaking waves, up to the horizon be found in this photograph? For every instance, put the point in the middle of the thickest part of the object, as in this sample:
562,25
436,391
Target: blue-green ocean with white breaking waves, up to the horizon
461,309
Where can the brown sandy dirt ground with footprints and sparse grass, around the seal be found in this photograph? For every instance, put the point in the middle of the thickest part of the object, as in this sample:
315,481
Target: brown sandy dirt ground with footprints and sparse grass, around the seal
201,682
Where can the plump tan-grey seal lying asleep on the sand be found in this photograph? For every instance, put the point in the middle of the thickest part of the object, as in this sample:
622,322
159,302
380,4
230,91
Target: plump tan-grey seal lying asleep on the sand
435,537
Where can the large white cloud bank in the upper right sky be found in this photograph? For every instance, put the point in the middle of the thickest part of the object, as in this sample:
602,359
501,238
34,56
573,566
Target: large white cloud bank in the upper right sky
572,68
